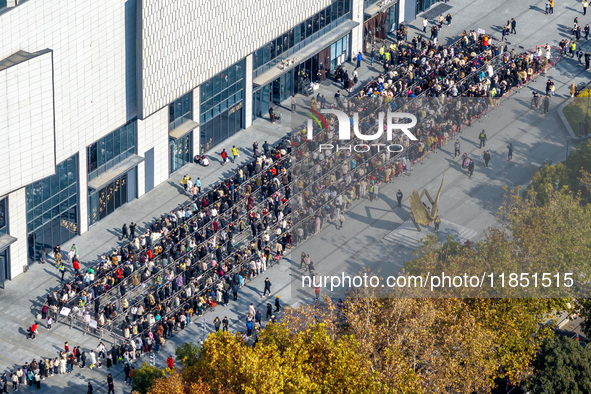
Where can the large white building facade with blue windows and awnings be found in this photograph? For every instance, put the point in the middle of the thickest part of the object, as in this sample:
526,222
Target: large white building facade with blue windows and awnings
102,101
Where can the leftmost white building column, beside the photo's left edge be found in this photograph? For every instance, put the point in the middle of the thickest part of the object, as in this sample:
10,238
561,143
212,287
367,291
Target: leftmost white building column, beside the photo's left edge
17,227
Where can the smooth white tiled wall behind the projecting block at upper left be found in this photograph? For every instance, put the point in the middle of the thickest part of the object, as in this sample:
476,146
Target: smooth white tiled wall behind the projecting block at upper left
88,44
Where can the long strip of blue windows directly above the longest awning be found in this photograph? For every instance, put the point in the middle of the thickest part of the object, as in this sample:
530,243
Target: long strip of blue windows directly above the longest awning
300,36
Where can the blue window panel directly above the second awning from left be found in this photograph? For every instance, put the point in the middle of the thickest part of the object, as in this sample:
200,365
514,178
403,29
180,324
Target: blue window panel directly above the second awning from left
111,149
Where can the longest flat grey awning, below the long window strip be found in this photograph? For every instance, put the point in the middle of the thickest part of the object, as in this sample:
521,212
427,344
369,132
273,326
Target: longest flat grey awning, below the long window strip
306,53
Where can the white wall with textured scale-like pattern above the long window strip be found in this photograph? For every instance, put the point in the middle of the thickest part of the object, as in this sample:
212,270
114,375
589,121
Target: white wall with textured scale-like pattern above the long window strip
186,42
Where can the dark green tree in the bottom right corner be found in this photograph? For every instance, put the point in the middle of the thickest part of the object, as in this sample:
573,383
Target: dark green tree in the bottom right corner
563,365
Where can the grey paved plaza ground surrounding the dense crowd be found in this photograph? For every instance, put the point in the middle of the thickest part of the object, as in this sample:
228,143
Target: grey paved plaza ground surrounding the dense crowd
376,235
